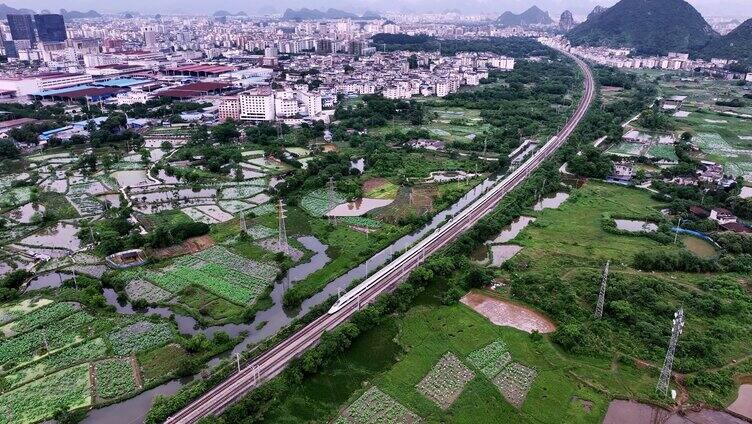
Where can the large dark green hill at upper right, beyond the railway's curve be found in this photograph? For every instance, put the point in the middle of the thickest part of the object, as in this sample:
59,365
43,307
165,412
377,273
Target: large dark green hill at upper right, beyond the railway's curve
648,26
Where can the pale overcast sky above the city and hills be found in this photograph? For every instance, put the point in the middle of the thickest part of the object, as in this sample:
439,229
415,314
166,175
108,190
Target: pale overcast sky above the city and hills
736,8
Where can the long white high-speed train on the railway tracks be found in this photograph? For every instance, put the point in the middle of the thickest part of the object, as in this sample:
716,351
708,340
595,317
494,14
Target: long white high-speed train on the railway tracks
415,255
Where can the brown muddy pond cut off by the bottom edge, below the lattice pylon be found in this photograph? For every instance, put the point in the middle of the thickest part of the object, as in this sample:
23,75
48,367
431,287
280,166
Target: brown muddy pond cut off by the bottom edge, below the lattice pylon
630,412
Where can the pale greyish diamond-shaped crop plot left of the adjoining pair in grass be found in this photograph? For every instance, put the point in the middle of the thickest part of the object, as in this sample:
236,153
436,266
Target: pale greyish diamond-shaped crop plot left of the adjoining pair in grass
446,381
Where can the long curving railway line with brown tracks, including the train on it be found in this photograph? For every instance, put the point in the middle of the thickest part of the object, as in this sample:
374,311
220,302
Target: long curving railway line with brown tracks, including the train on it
272,362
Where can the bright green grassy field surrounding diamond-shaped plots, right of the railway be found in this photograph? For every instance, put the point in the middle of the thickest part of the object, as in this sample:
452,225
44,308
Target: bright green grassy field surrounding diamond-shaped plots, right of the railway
426,333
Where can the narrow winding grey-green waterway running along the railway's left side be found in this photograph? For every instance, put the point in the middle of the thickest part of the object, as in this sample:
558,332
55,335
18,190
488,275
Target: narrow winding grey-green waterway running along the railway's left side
276,317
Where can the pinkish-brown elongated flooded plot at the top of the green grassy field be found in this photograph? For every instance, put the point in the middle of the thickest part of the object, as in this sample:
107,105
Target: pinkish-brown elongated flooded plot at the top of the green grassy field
508,314
